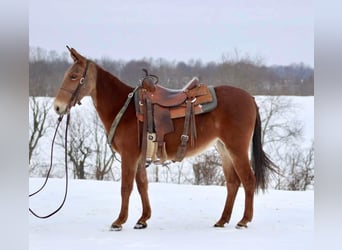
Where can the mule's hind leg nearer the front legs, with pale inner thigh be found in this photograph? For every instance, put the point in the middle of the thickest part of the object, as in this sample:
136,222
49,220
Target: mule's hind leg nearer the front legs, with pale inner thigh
232,183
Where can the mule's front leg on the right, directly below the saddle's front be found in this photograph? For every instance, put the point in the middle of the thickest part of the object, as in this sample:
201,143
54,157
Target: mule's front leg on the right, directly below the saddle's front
142,184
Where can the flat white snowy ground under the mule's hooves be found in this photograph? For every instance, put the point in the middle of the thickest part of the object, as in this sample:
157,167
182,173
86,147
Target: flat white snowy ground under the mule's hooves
182,218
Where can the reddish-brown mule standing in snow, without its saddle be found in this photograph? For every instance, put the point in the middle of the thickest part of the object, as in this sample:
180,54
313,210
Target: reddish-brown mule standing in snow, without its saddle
231,127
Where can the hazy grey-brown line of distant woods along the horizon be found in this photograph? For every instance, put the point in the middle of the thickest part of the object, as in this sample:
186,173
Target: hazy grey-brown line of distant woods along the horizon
47,68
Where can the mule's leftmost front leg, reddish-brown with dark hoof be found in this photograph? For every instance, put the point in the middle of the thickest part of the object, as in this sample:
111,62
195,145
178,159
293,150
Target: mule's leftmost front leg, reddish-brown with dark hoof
128,170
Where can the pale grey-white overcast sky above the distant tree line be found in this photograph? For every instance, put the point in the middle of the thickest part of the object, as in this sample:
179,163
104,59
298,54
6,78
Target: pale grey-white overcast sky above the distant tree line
277,32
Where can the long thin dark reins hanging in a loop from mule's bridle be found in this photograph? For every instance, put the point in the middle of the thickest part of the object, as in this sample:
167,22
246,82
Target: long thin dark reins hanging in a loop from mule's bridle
48,174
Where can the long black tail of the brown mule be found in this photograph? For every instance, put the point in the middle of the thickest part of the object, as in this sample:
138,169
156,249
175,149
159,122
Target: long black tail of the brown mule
261,163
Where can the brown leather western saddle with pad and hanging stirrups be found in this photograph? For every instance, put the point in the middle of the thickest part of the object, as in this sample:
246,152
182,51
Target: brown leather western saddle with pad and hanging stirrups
156,106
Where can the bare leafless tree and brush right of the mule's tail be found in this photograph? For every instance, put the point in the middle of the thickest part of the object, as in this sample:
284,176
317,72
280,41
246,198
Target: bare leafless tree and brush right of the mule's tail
282,136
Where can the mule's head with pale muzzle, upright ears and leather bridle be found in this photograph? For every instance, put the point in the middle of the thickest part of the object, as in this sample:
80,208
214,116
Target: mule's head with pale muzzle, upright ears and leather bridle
78,82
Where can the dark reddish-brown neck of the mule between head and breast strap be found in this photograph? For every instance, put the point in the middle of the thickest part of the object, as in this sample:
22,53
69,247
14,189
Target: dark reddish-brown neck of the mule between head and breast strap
111,94
